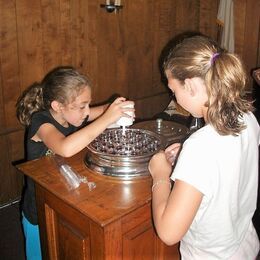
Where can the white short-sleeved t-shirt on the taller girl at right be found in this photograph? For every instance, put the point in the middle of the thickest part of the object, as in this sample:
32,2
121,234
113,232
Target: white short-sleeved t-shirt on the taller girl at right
225,170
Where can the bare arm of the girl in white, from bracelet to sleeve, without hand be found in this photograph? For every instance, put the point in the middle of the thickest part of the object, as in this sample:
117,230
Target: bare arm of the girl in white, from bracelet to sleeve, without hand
174,212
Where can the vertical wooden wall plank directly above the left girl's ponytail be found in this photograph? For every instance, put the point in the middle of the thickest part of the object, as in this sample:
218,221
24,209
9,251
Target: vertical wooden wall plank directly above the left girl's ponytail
30,47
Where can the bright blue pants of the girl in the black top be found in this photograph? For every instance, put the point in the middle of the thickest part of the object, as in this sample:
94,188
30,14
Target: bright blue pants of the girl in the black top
32,240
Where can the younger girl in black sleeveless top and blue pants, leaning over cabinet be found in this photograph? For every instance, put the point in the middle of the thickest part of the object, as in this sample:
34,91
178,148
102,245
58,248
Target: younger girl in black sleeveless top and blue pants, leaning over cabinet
56,112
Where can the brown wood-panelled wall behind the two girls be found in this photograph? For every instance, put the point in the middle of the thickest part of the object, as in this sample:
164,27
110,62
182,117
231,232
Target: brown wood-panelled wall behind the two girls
118,51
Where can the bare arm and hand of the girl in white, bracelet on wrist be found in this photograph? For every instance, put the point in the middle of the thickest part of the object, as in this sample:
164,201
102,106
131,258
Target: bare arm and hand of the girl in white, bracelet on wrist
173,211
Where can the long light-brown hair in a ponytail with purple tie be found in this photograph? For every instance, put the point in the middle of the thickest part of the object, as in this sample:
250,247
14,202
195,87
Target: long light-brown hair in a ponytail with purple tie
224,77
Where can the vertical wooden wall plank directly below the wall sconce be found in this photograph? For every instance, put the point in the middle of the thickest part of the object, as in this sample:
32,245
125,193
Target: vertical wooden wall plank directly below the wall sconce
111,54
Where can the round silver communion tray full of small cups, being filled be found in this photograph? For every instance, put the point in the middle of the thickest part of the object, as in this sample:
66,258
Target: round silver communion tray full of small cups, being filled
123,154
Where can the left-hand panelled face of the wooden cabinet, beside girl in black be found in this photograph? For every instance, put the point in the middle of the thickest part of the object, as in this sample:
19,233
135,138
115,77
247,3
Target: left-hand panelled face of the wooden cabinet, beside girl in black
65,232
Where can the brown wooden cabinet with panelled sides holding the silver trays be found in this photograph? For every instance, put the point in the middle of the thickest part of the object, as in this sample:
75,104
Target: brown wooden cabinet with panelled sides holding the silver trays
113,221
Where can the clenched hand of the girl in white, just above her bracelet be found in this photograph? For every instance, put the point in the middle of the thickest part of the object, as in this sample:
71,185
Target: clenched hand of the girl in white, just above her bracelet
159,166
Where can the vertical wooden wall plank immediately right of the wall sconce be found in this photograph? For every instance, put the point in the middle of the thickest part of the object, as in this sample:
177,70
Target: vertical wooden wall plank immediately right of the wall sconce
140,48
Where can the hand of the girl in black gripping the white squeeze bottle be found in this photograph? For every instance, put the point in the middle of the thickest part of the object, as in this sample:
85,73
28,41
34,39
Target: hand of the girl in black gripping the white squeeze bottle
118,109
